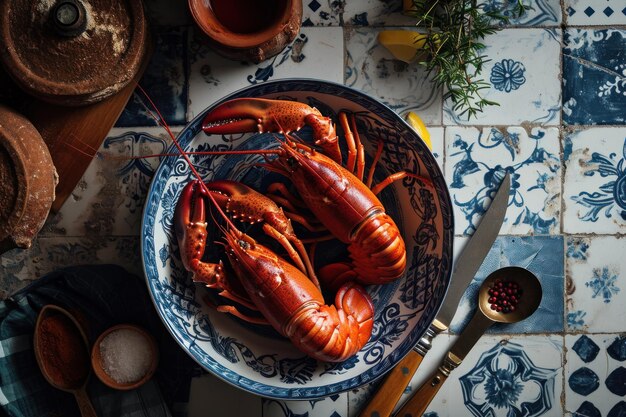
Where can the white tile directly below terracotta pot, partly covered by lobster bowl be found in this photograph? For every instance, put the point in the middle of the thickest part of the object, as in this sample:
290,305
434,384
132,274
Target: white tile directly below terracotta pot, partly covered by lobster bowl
317,52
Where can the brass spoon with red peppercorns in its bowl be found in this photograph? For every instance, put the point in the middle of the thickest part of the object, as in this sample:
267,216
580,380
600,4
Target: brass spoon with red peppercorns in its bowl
482,320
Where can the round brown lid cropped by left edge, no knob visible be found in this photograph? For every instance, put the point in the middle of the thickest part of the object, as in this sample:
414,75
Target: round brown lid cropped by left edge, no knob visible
27,181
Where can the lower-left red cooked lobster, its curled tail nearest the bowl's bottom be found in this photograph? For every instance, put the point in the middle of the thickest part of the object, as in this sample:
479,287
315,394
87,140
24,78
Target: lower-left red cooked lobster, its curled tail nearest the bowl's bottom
287,299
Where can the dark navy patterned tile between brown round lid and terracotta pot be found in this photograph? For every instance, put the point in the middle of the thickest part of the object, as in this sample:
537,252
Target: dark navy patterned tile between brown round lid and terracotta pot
165,81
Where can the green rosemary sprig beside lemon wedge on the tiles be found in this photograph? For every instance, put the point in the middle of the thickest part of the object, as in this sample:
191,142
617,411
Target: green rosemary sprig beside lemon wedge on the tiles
455,30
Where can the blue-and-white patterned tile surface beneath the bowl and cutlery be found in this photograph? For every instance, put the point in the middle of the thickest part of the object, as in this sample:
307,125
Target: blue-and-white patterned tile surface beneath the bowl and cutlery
559,74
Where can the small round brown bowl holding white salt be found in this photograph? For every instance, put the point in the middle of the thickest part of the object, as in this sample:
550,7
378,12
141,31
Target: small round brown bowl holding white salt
98,365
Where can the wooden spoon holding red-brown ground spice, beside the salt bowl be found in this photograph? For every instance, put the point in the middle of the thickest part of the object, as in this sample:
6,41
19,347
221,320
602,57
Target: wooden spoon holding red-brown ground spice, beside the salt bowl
78,387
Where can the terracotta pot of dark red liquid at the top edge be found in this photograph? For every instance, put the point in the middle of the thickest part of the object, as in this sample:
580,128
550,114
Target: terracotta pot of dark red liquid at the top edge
248,30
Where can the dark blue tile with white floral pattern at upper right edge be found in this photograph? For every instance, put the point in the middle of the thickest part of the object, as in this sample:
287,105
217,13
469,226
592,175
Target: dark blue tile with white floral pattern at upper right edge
594,76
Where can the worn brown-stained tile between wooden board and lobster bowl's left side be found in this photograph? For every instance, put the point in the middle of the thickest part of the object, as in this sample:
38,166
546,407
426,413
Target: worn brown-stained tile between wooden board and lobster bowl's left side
110,197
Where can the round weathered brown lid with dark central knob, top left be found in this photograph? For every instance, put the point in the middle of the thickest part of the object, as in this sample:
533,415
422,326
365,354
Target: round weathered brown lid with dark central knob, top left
72,52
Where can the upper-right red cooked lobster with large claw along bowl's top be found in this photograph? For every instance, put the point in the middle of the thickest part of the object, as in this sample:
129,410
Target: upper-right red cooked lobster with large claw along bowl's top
336,195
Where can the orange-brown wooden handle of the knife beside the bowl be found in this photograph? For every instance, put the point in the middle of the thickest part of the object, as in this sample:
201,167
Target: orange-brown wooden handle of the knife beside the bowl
388,394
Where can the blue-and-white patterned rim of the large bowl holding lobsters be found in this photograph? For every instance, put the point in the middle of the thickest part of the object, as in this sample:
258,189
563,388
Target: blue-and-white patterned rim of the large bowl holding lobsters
243,382
